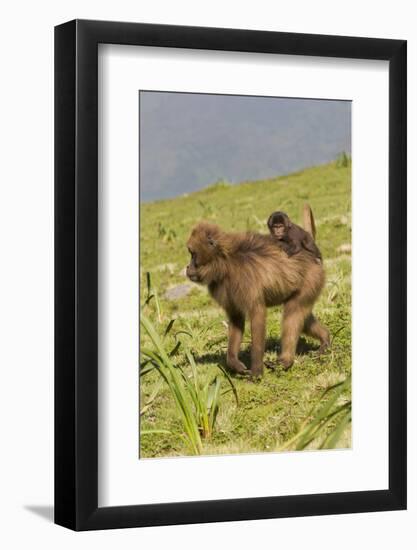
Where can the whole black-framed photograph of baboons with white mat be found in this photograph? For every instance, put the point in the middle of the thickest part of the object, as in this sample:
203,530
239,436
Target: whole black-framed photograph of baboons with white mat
230,284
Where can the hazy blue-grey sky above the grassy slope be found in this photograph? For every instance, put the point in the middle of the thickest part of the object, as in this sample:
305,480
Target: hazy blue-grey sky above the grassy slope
189,141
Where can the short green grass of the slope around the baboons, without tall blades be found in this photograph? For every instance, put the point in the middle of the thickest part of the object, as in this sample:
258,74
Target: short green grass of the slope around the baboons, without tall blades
273,411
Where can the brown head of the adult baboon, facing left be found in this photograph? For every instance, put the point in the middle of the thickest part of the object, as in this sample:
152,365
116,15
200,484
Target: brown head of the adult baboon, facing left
202,248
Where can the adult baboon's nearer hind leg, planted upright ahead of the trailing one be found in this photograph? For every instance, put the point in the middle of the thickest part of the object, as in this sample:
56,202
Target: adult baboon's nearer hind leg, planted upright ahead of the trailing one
293,319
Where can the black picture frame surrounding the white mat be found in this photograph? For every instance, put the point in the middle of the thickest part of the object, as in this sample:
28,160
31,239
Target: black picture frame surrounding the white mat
76,272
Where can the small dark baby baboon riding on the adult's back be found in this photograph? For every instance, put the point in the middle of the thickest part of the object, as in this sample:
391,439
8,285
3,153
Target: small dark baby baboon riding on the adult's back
291,237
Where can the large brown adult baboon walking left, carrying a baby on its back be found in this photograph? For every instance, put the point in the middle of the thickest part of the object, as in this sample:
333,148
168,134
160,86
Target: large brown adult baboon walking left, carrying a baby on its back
246,273
